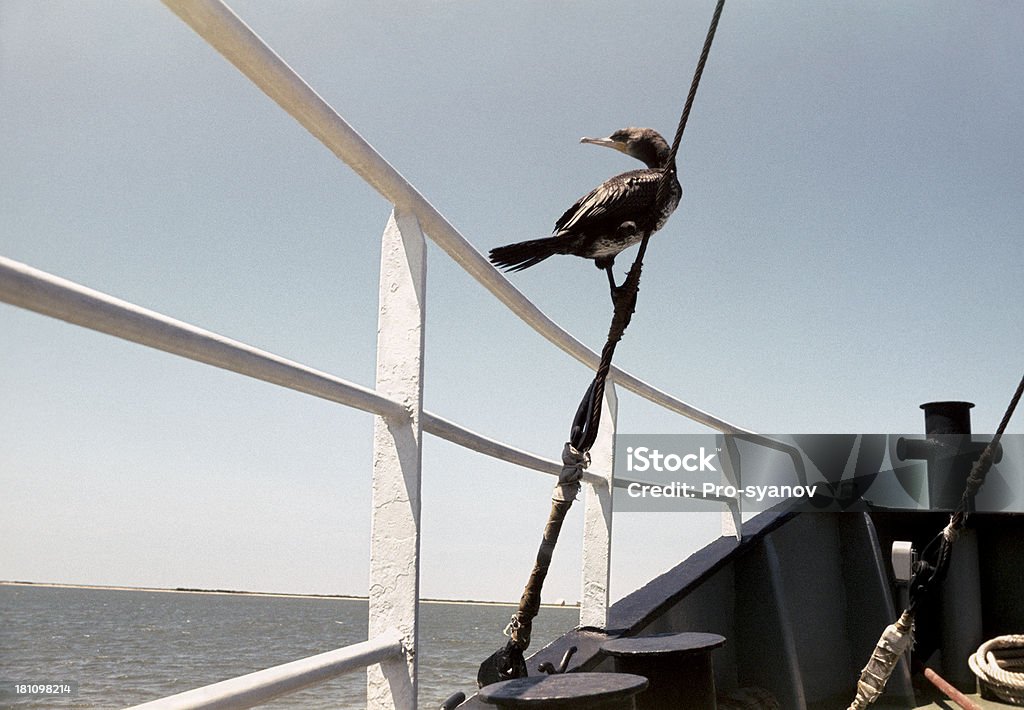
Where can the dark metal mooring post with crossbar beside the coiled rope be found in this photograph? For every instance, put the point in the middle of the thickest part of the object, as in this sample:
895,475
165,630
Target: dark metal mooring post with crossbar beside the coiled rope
950,453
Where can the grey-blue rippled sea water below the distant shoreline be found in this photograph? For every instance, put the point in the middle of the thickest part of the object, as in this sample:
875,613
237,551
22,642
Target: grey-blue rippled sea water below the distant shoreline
121,648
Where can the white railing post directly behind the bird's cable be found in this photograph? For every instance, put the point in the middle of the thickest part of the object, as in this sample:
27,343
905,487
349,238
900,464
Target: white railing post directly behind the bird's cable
599,489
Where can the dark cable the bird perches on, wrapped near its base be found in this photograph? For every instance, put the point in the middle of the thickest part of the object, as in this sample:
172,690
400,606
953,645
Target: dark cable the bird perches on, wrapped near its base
509,662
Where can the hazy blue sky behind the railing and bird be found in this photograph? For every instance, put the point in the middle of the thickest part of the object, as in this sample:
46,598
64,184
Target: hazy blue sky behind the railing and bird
848,247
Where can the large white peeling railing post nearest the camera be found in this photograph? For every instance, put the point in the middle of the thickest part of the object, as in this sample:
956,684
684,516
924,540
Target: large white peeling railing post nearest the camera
395,549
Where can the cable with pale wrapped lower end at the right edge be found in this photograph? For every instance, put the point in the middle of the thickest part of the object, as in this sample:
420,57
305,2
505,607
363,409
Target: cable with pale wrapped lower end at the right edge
929,574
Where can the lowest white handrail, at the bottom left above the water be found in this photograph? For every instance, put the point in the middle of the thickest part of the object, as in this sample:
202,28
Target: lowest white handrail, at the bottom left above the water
263,687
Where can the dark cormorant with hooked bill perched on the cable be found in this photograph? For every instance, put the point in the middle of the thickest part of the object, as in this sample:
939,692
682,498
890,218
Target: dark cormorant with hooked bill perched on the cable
613,217
